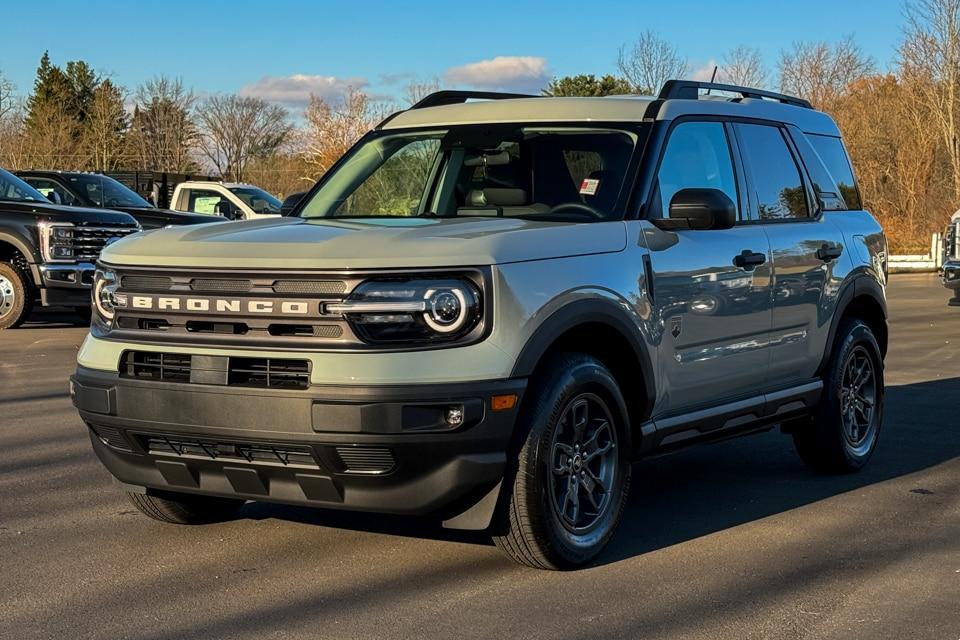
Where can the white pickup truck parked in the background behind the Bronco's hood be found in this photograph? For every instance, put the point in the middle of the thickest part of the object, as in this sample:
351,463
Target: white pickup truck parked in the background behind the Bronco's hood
232,200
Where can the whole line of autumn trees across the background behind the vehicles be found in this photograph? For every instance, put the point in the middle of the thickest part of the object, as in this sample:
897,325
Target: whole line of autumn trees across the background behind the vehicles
901,126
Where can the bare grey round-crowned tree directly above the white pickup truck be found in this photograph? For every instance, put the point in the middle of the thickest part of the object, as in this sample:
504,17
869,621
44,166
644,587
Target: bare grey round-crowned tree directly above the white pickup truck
234,130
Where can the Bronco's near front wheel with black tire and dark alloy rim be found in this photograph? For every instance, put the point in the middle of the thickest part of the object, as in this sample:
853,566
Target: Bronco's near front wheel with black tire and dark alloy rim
572,476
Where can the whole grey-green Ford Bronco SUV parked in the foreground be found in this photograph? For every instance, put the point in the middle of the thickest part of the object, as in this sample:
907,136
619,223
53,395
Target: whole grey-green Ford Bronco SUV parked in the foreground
488,309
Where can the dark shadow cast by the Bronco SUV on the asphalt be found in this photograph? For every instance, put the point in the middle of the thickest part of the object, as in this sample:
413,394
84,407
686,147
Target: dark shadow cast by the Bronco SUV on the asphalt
710,488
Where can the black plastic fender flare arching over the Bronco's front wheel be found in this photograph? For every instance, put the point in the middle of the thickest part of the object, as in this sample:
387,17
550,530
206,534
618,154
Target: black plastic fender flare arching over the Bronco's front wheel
593,311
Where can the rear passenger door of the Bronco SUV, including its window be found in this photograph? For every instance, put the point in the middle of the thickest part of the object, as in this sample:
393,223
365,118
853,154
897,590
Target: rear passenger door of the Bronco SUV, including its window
806,246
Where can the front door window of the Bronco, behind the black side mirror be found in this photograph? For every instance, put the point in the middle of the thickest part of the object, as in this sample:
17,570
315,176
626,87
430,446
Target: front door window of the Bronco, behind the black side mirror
697,156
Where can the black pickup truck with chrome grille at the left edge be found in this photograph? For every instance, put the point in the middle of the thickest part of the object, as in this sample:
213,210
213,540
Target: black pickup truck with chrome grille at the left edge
48,251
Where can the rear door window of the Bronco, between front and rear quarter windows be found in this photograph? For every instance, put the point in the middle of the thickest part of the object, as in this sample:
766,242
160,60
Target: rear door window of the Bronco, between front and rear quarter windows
775,177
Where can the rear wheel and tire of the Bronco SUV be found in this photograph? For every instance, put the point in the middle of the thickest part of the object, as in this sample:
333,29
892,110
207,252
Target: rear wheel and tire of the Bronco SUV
844,430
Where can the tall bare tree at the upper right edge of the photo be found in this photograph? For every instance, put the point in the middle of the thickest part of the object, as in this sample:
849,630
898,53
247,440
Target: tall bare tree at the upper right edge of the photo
930,63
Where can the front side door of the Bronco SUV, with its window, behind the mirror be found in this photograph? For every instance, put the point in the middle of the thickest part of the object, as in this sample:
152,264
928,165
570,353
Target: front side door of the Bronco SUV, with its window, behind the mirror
714,308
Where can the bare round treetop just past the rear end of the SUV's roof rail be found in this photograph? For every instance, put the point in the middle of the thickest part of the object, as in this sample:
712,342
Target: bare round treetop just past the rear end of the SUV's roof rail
821,72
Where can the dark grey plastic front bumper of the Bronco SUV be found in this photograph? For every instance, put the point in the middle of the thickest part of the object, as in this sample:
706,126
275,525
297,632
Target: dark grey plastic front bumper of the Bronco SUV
379,449
